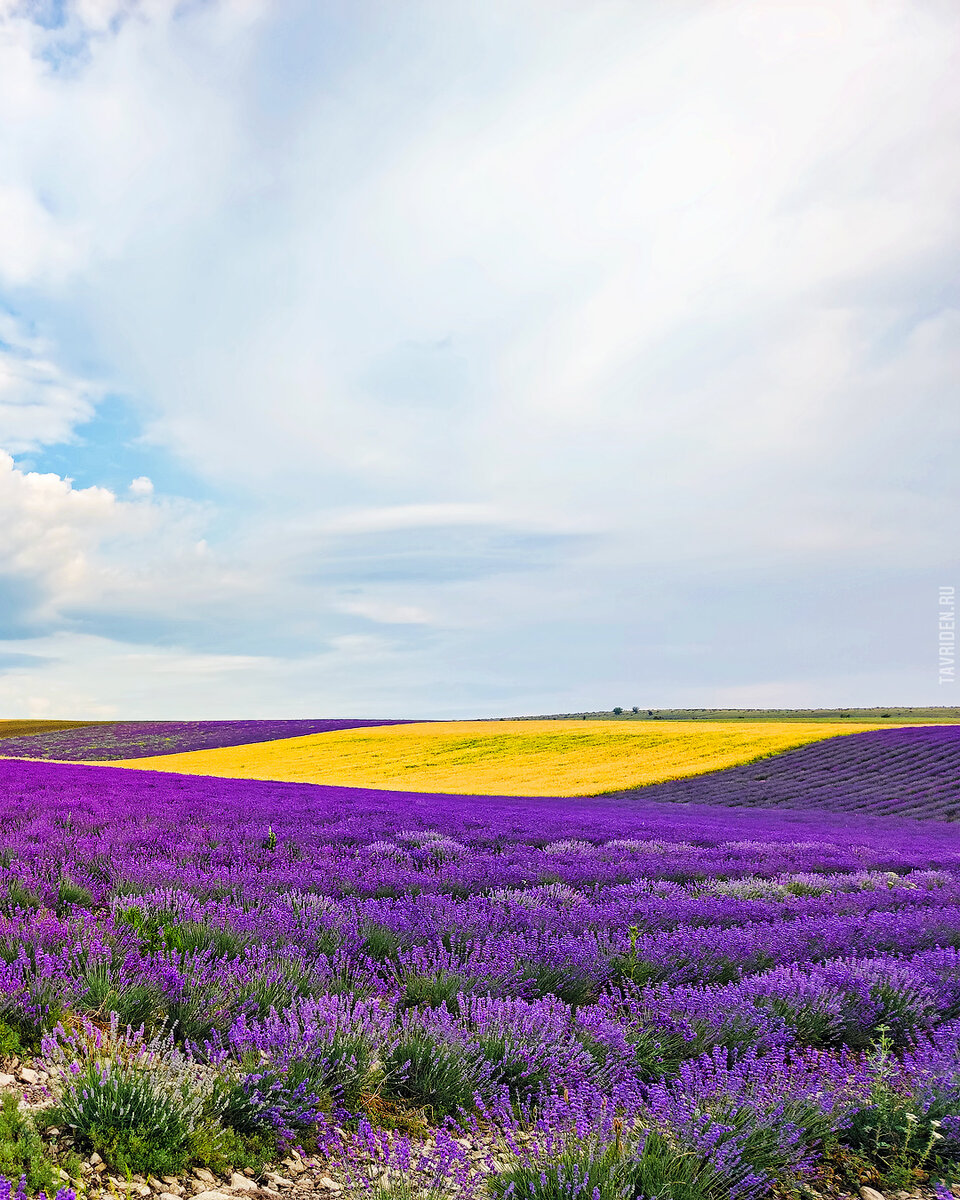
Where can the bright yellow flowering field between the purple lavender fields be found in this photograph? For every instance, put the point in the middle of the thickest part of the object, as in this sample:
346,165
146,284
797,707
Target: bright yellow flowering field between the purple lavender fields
505,758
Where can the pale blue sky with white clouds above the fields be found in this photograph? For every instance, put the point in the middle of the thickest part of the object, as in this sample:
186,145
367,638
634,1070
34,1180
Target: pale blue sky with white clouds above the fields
477,358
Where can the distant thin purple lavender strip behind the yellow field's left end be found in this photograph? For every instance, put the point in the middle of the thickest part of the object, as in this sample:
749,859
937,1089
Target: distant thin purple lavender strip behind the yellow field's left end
142,740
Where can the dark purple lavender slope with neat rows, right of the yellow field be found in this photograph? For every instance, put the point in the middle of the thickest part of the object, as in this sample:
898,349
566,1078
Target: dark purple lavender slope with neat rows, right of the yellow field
899,772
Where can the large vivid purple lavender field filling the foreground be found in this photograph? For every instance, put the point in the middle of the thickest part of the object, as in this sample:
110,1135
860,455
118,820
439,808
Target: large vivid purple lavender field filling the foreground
599,998
